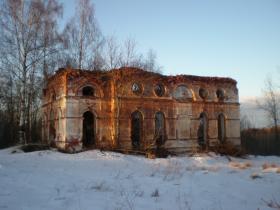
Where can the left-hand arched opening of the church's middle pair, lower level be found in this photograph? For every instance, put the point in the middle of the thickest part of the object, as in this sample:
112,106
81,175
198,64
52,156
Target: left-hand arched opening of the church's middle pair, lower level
136,129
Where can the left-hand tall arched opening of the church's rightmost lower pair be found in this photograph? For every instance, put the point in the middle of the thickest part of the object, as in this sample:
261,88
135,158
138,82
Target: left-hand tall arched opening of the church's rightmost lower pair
202,130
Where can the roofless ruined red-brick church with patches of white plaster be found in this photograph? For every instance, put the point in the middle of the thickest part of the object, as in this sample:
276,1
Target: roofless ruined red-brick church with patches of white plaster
132,109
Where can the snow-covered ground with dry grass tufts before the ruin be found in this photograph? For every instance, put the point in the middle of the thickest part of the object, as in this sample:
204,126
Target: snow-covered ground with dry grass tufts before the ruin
96,180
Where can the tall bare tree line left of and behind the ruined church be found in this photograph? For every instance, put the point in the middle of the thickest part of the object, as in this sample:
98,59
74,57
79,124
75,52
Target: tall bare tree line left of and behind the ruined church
33,44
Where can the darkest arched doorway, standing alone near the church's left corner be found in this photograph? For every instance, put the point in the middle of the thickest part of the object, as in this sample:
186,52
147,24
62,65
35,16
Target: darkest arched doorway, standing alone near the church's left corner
88,129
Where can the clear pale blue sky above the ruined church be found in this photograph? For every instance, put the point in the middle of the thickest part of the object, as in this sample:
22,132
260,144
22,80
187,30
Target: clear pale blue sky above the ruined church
228,38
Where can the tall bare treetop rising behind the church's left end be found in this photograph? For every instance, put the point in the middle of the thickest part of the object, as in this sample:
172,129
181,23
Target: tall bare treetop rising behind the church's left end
82,36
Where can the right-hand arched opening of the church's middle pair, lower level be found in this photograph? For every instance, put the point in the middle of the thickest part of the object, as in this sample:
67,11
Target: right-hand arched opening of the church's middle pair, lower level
159,129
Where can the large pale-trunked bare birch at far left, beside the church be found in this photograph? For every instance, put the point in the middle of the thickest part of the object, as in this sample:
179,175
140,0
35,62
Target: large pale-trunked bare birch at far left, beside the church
23,48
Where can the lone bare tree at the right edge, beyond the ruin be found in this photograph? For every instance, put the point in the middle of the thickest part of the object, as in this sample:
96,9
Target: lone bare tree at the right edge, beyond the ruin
271,103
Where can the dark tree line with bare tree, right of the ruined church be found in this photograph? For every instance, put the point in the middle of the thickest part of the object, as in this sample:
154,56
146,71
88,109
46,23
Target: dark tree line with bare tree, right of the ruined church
265,141
